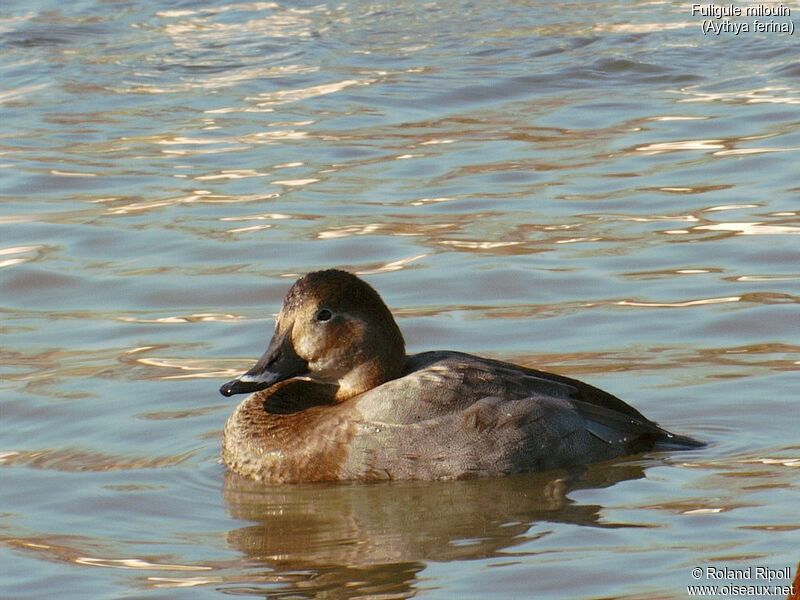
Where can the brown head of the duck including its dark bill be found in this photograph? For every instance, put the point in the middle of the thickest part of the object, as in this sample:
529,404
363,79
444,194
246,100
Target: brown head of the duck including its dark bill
333,328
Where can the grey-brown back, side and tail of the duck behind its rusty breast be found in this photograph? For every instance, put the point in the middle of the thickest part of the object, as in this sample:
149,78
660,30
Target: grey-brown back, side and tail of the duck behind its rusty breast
454,415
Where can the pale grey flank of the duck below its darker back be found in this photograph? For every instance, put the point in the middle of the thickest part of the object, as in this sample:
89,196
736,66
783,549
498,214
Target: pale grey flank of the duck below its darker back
492,436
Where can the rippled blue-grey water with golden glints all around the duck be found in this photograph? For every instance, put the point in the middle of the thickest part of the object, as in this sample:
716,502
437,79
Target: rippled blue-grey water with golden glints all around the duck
593,188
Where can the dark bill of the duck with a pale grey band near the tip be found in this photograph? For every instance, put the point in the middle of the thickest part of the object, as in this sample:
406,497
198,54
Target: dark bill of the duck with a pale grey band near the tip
279,362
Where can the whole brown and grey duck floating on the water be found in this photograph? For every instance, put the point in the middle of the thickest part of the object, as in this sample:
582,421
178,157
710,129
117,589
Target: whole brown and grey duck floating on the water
335,397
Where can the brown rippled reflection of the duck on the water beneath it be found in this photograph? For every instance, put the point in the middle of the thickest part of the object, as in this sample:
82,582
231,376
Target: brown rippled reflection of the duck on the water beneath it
375,538
